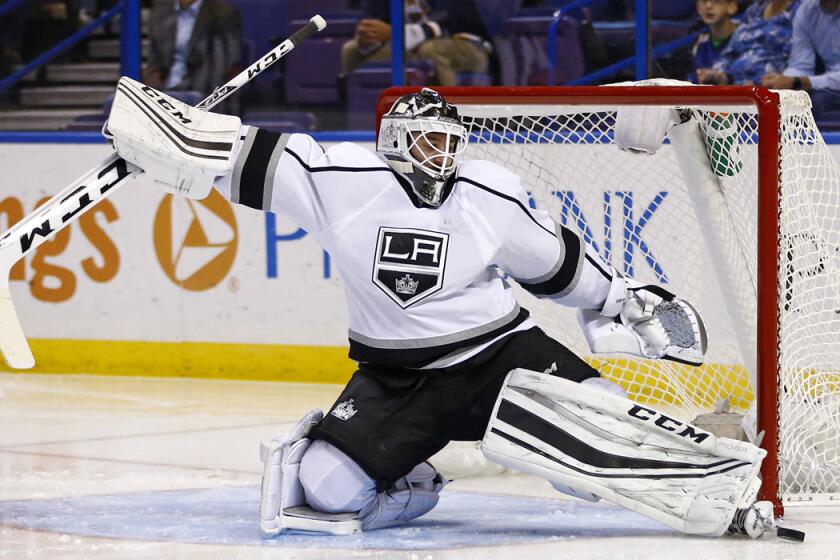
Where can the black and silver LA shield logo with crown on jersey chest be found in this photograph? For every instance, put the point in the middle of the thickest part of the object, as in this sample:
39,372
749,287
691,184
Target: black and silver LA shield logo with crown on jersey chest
409,263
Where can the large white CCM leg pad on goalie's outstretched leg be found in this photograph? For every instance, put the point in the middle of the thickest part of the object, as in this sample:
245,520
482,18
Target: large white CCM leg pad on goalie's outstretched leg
588,440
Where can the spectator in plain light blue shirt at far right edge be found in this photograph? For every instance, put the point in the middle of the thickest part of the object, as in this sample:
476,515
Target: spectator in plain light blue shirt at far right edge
816,32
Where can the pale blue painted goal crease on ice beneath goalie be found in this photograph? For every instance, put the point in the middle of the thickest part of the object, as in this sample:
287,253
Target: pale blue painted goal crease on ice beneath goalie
229,516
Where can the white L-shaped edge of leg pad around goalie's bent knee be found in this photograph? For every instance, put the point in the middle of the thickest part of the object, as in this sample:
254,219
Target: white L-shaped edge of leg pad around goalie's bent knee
282,501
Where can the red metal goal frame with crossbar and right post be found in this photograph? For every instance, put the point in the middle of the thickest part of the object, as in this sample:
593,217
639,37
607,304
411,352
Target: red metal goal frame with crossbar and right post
765,105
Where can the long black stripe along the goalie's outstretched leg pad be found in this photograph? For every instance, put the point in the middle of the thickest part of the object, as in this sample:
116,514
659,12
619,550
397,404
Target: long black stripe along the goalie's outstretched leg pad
540,428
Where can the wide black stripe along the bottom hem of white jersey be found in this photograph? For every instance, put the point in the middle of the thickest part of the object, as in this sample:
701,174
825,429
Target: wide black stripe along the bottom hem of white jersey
420,357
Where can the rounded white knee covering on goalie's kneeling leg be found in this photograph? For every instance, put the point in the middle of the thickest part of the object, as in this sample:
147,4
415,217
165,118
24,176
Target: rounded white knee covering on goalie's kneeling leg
333,482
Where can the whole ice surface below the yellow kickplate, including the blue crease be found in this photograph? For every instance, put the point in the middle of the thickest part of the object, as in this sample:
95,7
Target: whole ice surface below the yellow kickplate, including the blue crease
127,468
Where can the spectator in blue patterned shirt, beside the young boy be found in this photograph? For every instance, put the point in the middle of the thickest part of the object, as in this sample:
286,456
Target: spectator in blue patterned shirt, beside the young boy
760,45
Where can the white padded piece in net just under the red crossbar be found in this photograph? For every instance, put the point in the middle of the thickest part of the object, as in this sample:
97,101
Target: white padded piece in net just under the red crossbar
642,129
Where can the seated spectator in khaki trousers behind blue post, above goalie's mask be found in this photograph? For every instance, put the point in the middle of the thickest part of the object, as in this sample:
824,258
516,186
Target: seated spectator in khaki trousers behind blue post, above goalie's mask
467,50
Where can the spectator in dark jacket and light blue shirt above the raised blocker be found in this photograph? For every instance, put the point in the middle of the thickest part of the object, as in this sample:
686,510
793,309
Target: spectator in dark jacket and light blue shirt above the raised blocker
195,45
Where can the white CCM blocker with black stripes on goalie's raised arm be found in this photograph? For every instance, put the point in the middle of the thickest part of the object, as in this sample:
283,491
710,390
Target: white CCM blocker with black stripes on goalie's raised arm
180,147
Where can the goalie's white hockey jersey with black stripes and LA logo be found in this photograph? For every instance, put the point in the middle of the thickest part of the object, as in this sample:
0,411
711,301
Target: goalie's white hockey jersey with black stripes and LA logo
424,286
